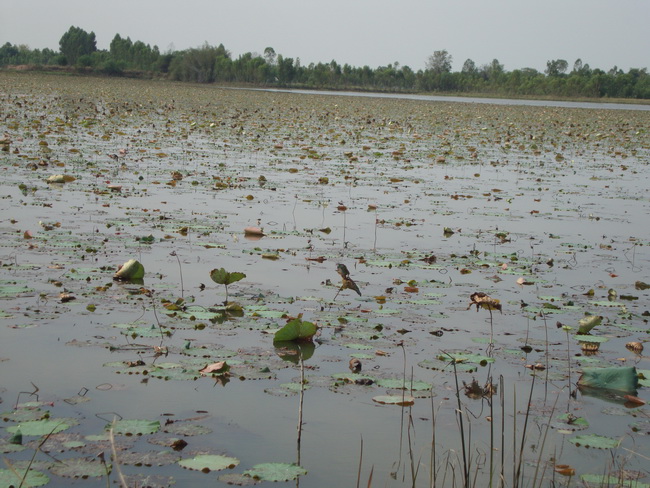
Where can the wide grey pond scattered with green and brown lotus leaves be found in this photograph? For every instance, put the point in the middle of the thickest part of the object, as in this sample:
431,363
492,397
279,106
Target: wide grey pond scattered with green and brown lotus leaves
443,212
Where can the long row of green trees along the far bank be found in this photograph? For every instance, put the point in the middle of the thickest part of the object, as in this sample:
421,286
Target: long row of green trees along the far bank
214,64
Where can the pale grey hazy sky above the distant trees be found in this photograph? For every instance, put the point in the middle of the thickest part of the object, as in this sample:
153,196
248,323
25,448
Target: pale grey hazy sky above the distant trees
519,33
